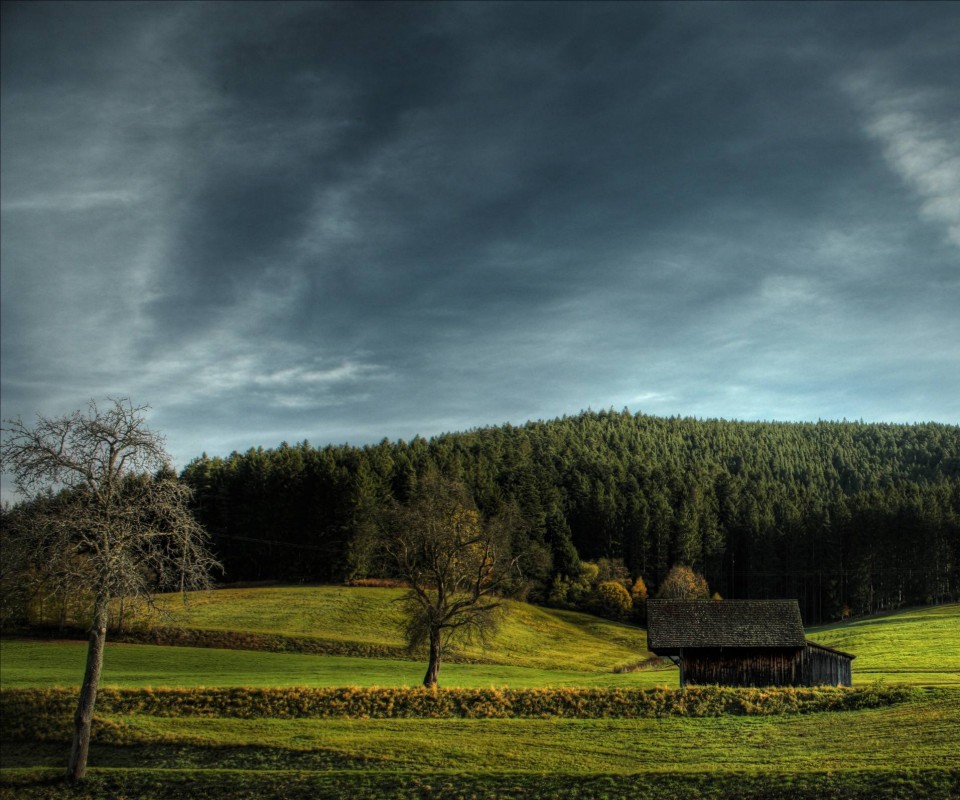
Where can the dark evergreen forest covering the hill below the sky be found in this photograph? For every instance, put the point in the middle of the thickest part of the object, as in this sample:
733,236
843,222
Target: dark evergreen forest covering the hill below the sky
837,514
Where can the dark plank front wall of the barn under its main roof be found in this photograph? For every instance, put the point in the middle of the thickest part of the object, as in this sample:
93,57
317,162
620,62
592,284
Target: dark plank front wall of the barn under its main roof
743,666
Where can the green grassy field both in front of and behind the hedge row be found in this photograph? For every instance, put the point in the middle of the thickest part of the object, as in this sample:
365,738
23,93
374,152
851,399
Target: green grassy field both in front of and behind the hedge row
906,750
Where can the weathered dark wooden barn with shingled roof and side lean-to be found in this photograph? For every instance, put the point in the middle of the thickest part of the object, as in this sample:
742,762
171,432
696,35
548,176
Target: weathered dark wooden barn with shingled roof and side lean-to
742,643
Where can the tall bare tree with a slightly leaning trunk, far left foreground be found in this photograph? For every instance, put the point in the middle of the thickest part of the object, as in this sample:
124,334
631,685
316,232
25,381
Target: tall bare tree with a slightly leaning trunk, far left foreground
108,520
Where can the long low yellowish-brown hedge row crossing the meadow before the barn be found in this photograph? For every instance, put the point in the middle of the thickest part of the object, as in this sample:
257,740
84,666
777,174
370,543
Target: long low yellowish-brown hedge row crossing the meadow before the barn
22,708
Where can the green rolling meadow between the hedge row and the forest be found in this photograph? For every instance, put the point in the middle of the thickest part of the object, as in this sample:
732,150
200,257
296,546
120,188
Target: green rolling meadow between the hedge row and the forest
533,647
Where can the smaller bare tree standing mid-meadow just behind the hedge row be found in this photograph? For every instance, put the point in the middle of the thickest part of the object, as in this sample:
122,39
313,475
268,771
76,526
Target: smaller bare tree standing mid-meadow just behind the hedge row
456,565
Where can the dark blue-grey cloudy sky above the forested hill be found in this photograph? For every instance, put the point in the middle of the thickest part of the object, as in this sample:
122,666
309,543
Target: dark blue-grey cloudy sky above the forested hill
346,222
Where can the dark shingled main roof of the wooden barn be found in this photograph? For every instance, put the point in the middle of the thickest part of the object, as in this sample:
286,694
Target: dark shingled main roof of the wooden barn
672,624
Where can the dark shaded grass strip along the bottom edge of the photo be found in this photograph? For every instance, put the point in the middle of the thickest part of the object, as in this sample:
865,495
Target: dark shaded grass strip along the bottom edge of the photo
242,784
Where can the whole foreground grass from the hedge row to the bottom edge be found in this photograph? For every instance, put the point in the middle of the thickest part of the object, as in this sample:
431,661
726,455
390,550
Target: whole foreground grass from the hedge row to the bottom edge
772,754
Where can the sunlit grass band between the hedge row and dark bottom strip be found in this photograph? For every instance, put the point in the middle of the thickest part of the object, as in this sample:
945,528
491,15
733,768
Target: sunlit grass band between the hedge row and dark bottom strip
918,734
